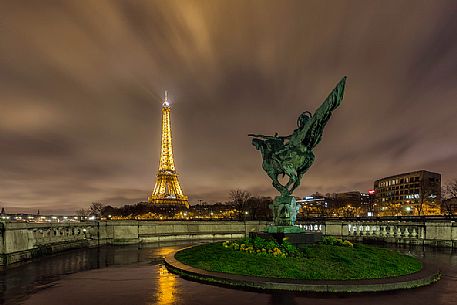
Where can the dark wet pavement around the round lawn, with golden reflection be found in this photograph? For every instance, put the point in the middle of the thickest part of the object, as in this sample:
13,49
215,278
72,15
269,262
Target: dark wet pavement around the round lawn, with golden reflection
132,276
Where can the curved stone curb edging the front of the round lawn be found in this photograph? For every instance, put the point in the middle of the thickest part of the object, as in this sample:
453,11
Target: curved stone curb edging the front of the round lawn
426,276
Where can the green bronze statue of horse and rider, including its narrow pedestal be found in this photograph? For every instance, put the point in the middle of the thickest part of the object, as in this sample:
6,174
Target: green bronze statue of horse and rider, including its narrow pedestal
292,155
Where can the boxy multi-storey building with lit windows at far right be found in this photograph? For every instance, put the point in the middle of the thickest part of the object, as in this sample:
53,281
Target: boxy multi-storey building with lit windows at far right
409,190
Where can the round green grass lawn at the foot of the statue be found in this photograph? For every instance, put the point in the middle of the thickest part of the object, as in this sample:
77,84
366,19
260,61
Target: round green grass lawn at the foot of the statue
318,262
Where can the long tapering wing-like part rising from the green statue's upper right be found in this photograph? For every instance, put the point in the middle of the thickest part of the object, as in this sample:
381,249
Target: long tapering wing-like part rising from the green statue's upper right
311,133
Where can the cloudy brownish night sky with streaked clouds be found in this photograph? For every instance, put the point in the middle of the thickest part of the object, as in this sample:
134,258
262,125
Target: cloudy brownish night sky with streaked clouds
81,85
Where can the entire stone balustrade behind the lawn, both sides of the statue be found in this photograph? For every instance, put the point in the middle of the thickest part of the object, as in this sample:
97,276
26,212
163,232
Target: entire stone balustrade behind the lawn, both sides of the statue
23,241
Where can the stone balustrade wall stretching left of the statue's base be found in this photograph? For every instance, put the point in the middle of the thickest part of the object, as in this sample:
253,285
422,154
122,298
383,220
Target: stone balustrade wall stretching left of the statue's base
23,241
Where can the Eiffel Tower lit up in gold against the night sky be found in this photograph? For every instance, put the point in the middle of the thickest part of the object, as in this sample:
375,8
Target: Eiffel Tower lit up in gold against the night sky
167,190
